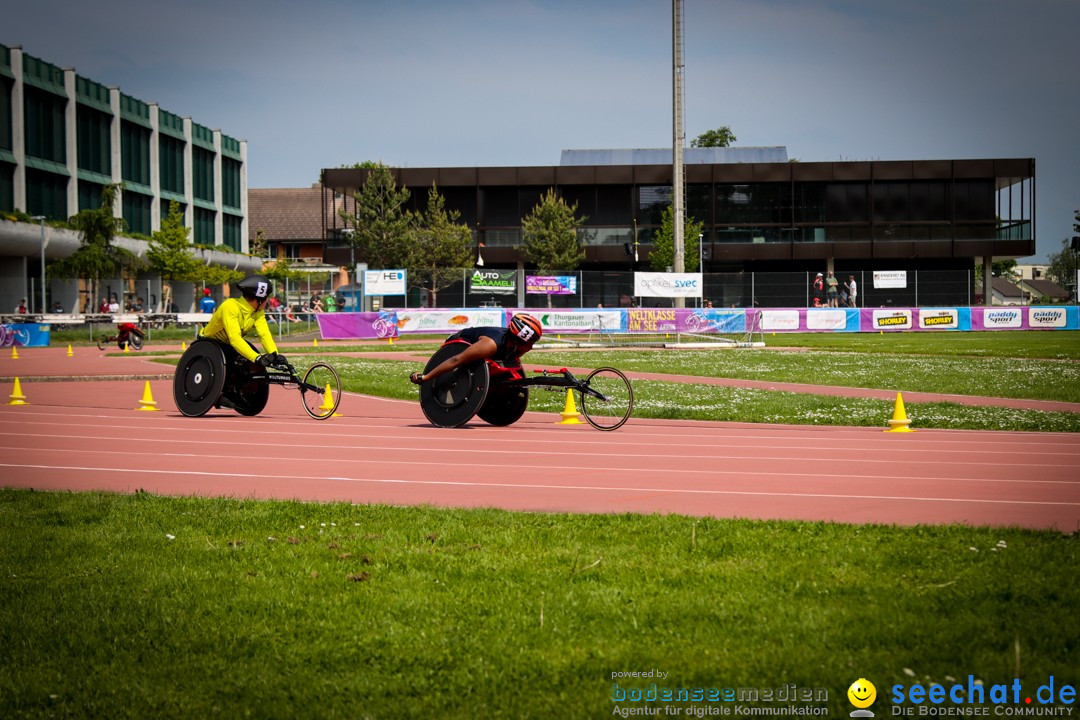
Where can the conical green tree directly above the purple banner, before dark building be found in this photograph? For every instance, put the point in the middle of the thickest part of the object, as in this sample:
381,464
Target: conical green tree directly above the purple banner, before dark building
550,233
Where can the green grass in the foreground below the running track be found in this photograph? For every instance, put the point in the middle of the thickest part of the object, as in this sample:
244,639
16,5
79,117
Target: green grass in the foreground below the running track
146,607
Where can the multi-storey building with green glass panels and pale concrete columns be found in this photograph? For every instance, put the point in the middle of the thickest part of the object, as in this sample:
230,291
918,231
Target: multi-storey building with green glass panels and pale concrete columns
63,138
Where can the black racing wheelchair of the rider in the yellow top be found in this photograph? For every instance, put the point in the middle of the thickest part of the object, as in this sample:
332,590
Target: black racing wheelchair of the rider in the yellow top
213,376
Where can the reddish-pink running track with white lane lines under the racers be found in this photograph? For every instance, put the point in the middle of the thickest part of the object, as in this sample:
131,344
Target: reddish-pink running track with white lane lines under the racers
89,437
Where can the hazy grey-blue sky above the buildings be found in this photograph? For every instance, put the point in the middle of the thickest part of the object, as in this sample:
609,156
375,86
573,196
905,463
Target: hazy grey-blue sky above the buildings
514,83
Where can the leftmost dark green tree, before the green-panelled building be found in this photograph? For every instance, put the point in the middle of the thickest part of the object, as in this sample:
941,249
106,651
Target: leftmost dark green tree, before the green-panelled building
97,257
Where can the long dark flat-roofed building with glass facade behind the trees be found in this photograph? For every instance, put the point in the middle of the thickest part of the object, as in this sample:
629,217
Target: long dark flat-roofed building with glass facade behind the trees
762,213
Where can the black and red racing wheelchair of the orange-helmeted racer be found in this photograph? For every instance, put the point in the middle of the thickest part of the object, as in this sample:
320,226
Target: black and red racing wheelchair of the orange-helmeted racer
499,396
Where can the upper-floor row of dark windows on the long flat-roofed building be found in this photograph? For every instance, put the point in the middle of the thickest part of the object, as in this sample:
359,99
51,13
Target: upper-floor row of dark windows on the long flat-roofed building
771,203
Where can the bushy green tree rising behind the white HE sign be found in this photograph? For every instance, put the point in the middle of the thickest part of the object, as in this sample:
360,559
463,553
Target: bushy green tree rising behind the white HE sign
382,227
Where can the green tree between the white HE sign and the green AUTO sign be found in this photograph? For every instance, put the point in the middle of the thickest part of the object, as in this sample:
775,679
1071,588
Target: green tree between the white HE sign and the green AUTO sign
440,248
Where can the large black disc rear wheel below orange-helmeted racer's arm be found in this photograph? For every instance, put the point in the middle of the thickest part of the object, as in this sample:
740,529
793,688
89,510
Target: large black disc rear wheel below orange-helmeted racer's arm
452,400
